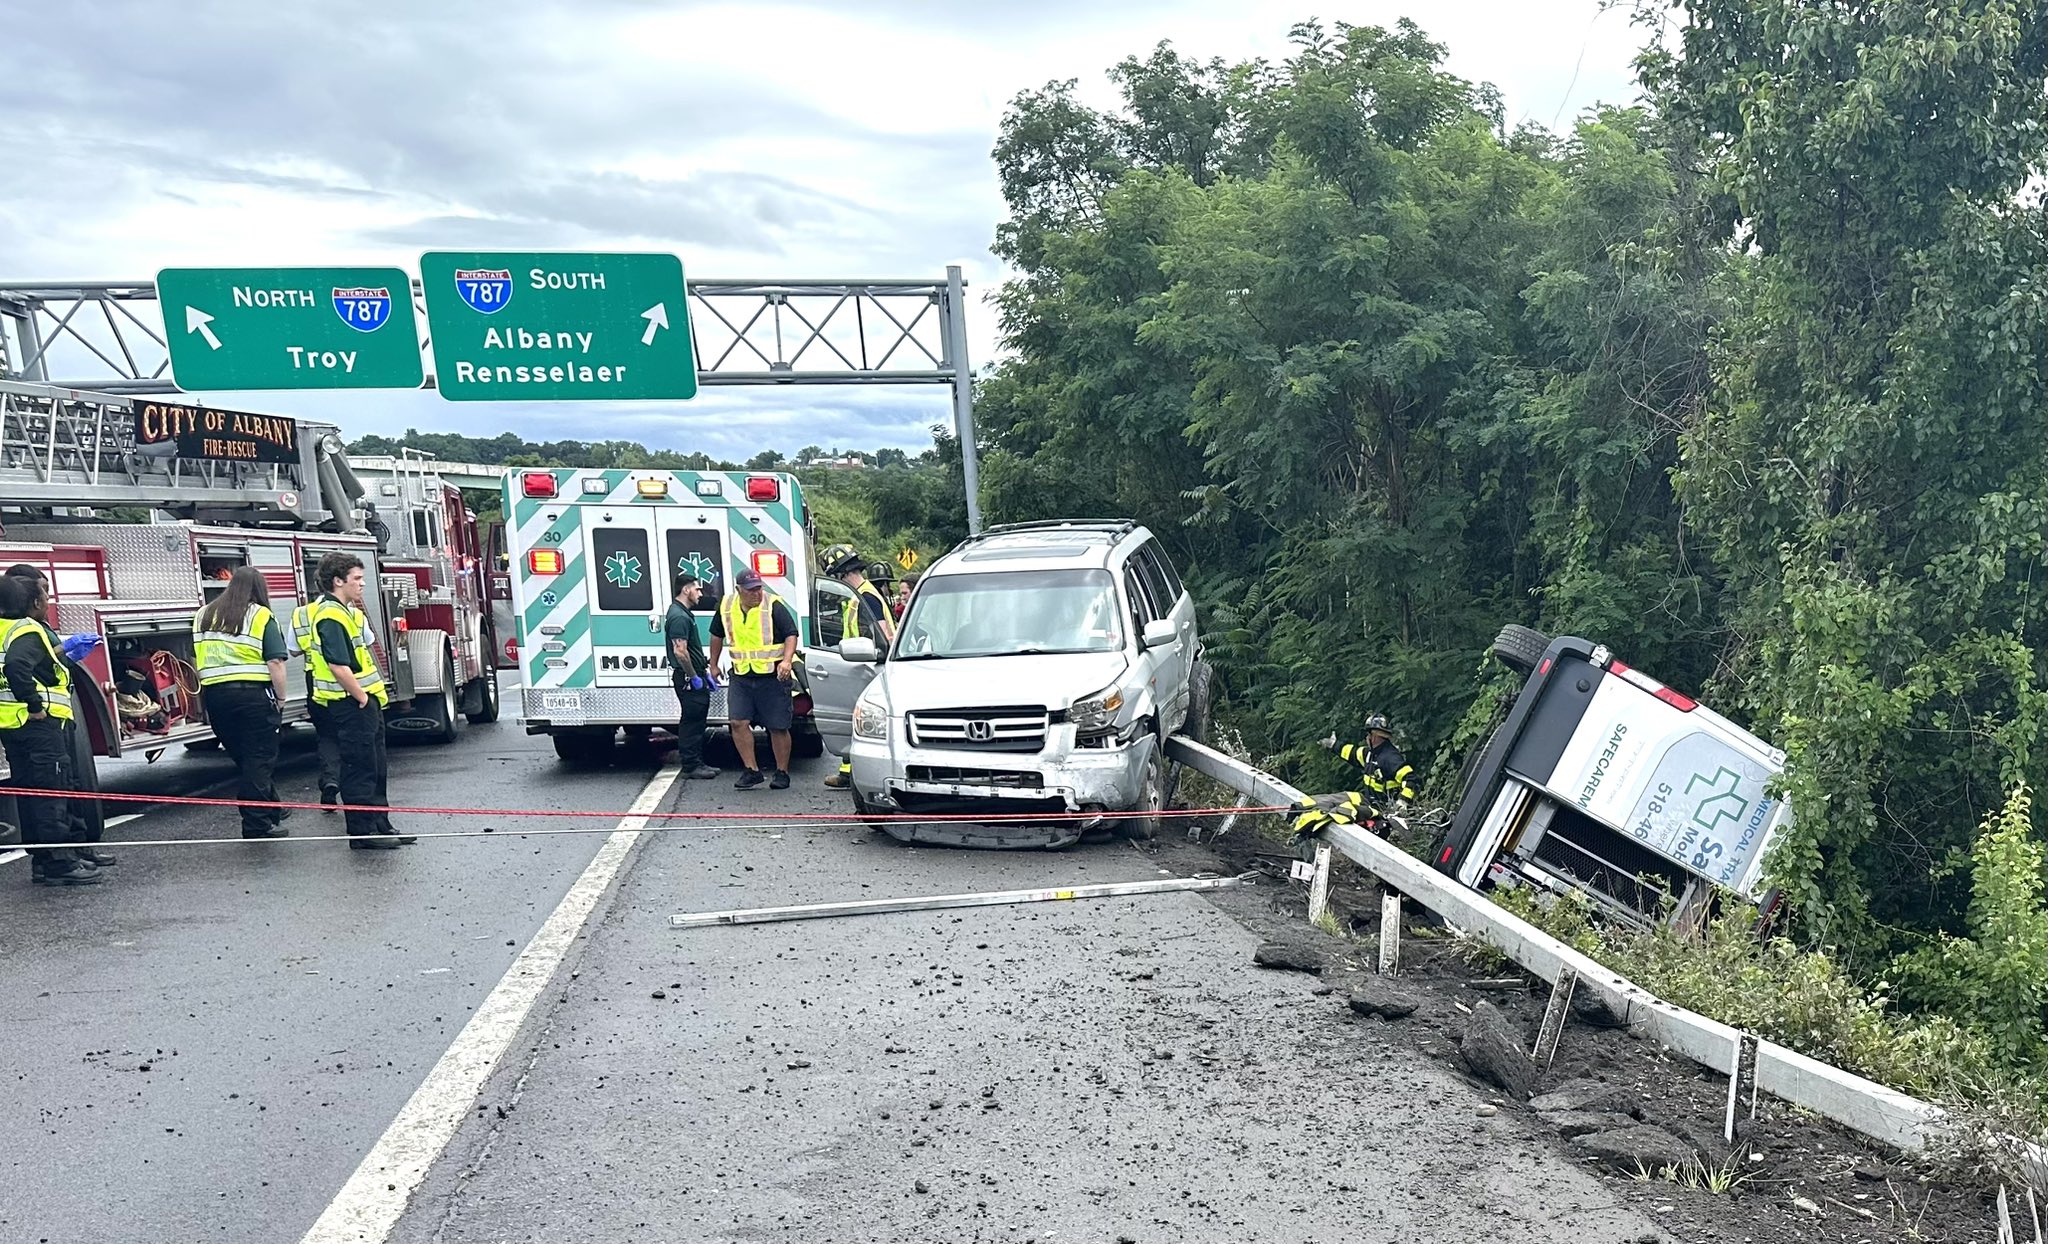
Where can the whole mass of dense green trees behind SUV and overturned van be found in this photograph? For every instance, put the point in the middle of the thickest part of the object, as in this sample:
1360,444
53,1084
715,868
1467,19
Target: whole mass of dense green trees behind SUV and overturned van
1746,382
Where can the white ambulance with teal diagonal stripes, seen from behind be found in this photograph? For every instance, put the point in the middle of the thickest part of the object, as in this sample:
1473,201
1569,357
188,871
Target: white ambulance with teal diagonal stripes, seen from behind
591,558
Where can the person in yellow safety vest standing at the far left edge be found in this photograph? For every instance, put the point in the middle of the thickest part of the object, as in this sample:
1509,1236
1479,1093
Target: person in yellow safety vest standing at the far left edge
36,704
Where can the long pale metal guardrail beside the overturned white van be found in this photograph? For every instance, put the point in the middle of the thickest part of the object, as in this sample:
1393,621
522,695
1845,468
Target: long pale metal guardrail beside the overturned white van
1861,1106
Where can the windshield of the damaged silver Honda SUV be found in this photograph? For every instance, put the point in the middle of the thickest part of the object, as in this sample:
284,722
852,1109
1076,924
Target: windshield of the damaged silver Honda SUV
1013,614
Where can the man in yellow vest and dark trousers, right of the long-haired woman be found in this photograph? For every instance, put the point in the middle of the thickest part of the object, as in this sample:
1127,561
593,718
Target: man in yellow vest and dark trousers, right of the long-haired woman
349,686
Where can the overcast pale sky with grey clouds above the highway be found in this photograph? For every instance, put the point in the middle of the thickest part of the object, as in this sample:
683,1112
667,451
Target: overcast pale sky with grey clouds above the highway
753,140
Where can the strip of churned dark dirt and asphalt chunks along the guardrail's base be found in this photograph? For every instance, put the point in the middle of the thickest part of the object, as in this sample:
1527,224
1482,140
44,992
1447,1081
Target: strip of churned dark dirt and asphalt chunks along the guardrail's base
1646,1120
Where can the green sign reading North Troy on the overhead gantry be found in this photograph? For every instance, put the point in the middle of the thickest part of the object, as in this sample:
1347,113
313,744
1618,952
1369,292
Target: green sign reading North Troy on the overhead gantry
290,329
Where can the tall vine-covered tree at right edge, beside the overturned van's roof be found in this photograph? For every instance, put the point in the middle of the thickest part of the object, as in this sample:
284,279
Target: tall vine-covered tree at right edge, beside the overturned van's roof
1869,470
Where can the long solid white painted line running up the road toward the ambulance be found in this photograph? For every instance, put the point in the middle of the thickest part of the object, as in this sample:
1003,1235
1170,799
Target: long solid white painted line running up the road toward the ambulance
384,1184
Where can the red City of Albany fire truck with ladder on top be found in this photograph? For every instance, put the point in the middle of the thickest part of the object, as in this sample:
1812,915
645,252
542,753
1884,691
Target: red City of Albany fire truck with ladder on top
138,520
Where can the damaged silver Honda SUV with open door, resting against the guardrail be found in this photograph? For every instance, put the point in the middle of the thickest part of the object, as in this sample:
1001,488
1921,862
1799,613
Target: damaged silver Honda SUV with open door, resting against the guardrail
1039,669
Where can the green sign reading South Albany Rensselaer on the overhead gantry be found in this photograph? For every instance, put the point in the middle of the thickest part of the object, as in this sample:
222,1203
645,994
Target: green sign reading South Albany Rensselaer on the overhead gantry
548,327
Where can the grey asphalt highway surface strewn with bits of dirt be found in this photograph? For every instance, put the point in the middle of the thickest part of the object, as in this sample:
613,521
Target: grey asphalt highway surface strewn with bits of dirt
503,1040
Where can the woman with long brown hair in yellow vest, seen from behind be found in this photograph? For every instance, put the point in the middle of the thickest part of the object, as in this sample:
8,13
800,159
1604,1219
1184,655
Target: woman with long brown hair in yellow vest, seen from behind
241,686
